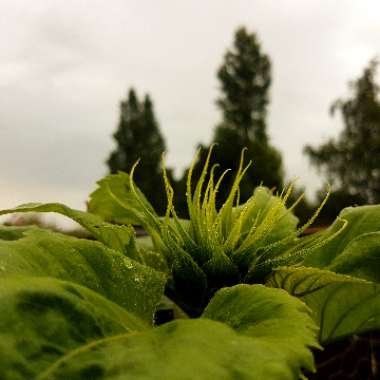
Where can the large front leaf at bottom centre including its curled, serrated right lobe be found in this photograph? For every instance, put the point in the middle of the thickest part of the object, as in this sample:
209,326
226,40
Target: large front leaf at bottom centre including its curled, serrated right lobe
203,348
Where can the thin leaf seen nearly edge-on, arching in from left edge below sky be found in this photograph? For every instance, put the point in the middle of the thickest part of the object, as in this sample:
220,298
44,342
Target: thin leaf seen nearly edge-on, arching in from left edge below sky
120,238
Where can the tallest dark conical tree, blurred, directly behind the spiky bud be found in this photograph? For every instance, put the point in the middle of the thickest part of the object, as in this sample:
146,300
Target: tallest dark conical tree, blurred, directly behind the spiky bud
245,79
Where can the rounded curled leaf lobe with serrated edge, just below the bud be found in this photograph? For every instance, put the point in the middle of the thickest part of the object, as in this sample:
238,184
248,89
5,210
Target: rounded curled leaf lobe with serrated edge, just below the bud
267,314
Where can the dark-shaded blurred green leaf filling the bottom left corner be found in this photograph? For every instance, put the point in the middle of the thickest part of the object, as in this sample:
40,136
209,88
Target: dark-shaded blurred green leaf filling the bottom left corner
43,319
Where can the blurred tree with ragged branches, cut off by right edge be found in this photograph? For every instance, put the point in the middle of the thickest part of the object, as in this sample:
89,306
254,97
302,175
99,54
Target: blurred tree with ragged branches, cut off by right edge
351,161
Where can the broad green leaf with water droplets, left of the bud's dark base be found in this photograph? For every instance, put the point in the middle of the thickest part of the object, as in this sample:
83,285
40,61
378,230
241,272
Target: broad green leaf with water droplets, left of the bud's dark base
37,252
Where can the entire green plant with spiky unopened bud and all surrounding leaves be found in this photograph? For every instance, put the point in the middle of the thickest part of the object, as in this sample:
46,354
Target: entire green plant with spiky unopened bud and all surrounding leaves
78,309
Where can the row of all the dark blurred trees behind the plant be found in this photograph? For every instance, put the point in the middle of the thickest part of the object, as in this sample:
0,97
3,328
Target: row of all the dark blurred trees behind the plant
350,162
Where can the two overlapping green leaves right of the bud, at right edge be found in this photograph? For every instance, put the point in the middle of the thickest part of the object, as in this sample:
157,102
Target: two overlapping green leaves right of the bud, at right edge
340,279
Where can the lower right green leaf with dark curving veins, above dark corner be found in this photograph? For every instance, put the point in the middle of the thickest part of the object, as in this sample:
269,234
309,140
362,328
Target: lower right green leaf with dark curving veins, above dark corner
341,305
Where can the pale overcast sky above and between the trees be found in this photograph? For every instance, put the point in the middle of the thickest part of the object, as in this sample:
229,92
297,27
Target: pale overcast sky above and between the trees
65,66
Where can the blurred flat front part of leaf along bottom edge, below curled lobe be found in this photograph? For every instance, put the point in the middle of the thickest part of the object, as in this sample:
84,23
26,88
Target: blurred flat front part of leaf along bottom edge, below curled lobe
184,349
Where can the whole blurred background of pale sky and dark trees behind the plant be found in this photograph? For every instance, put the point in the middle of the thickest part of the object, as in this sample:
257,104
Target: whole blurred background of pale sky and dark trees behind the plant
88,87
